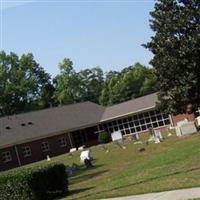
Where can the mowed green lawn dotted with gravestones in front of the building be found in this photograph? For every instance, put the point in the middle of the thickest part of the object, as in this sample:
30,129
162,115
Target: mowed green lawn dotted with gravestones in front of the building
172,164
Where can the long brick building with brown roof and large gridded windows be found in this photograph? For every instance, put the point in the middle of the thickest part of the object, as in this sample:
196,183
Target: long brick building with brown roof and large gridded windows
30,137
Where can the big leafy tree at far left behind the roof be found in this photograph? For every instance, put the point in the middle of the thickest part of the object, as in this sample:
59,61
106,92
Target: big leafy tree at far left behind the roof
21,82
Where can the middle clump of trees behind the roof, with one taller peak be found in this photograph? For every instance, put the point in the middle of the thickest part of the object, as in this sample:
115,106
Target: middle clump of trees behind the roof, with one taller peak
72,86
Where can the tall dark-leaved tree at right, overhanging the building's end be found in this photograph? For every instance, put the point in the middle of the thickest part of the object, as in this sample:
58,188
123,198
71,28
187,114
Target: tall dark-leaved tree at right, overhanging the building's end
176,49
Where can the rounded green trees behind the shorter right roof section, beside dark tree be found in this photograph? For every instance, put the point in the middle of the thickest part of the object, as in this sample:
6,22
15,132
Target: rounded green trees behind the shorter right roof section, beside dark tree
131,82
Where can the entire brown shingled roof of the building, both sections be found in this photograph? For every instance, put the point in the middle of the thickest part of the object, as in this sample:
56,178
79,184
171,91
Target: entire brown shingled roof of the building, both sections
48,122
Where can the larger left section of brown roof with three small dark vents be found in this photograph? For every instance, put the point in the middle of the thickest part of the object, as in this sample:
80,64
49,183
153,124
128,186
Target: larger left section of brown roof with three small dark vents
48,122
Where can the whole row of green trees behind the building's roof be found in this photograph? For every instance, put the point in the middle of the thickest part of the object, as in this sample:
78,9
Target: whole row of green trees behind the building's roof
25,86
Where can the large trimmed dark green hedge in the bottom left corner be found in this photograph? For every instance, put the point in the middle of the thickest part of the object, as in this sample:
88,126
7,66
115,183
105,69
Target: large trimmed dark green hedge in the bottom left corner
42,183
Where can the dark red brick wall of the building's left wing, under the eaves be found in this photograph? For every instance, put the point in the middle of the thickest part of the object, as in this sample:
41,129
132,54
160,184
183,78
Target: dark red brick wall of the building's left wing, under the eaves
87,137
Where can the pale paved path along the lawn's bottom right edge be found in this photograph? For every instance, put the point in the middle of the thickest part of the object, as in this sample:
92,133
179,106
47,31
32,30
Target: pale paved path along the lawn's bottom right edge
183,194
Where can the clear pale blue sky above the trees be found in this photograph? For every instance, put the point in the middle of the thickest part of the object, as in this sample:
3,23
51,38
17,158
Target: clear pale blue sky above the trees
106,33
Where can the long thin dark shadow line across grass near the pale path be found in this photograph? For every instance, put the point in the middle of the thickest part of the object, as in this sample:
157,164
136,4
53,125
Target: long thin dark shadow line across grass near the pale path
141,182
